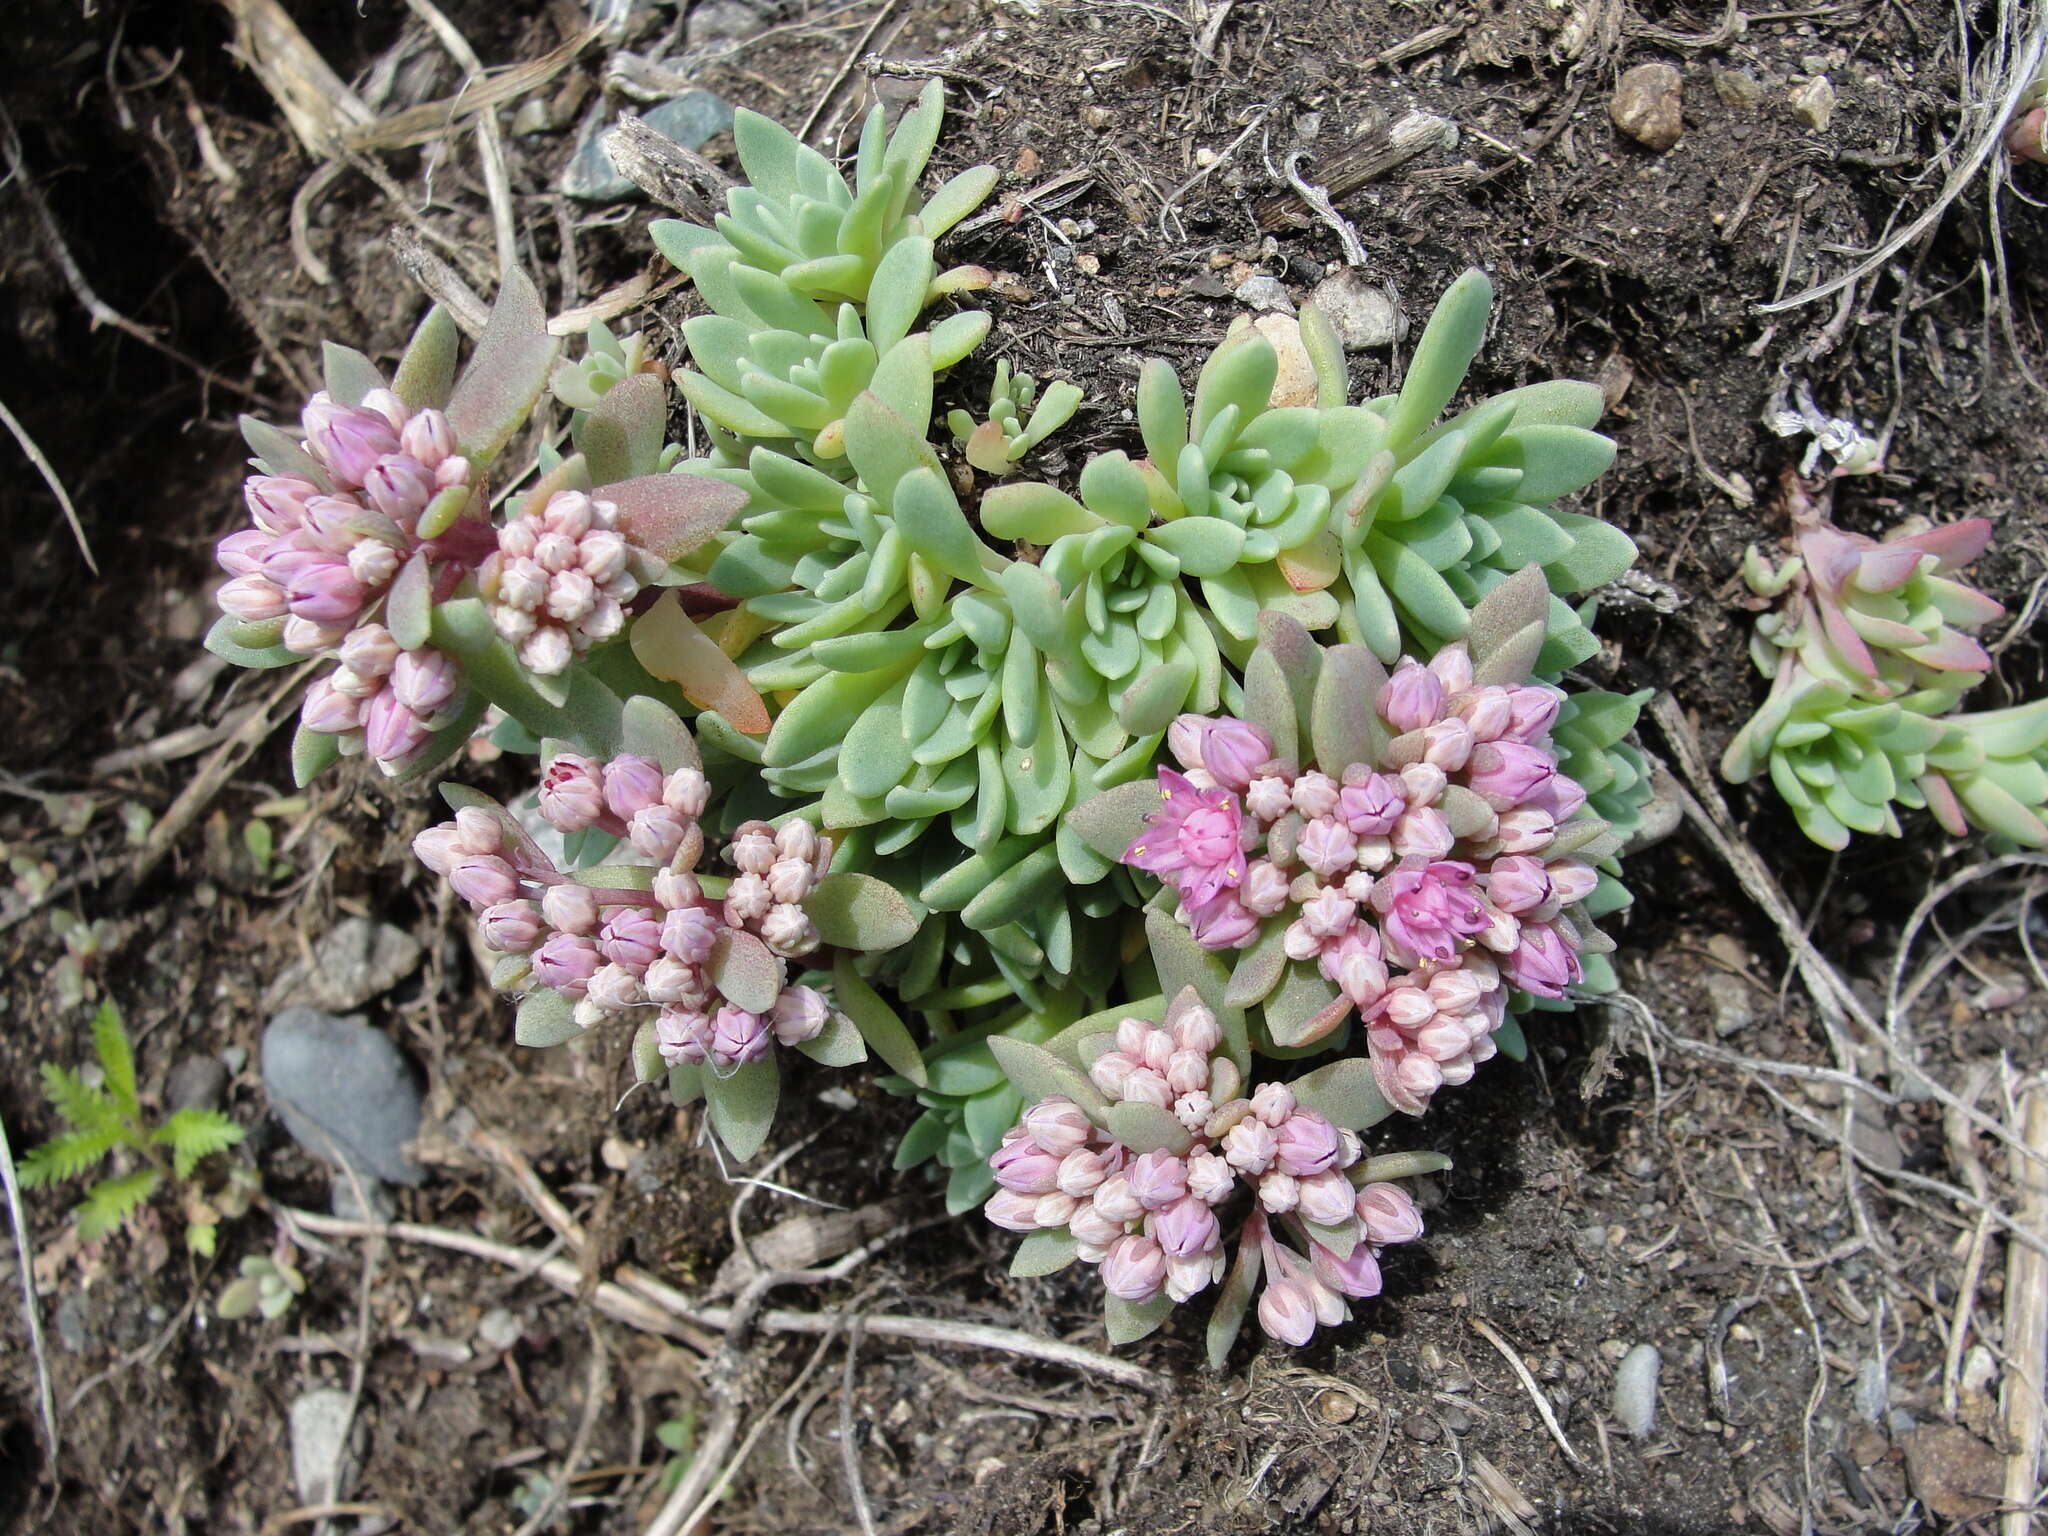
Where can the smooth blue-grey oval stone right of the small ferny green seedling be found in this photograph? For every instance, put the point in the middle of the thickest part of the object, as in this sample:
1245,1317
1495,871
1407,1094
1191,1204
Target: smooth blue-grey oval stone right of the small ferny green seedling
345,1093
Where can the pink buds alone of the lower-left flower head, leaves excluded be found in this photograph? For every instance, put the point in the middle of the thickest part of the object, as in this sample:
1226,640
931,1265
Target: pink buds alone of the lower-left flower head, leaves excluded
617,951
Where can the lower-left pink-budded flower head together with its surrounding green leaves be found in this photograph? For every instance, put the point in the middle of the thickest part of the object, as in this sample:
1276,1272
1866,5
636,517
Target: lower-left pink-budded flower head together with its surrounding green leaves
697,962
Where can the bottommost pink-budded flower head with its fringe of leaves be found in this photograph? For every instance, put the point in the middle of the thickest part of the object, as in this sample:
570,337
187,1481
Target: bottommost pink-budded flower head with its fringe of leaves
1144,1148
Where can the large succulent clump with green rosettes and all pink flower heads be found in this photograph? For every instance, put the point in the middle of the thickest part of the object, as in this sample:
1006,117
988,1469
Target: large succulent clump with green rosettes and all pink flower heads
828,732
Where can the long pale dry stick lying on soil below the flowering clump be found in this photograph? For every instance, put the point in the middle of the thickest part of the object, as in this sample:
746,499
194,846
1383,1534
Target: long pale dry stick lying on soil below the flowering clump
663,1310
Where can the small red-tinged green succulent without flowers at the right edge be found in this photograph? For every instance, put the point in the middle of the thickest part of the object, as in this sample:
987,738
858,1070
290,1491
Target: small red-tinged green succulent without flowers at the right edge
1869,660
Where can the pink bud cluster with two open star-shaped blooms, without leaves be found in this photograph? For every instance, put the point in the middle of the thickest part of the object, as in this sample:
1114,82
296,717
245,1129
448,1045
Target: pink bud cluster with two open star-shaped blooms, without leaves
1418,884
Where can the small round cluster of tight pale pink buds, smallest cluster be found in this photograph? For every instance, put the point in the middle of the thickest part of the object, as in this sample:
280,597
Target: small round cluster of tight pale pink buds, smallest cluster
560,581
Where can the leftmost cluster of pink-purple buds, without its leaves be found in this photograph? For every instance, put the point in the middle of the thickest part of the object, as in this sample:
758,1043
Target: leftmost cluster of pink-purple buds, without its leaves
321,558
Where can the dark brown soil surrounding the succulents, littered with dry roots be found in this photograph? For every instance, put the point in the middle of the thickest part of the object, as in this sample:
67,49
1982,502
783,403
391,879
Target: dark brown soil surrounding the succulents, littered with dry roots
1670,1201
